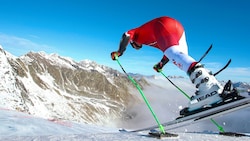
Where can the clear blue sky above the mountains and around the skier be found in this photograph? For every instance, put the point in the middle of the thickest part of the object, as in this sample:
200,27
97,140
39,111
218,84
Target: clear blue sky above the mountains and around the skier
91,29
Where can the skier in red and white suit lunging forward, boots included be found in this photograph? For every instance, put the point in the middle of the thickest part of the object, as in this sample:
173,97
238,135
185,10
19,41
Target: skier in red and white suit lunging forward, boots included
168,35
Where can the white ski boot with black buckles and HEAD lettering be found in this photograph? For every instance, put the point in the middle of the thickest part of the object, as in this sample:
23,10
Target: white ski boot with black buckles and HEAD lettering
209,89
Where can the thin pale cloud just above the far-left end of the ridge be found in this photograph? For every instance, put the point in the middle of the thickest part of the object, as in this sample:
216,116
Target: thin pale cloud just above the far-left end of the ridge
19,46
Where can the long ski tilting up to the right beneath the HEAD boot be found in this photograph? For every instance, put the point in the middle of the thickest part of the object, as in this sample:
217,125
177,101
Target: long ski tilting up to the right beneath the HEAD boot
201,116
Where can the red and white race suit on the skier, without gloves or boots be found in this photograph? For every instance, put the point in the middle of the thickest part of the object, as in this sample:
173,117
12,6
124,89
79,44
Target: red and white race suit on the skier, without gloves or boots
166,34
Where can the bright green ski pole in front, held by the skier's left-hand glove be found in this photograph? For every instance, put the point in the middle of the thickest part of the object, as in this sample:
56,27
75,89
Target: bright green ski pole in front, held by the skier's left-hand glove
143,96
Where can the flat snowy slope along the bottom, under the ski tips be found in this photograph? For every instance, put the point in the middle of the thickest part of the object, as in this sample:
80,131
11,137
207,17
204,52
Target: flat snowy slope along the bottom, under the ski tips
16,126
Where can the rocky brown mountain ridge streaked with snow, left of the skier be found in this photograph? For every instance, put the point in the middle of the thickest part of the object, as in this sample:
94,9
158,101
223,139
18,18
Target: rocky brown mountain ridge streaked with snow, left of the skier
55,87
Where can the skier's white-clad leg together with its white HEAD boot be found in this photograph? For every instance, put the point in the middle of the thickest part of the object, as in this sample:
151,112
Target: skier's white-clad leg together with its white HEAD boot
208,87
